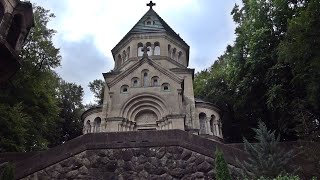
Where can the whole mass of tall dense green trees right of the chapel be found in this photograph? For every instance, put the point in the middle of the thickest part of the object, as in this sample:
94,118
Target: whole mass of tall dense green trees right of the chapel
270,72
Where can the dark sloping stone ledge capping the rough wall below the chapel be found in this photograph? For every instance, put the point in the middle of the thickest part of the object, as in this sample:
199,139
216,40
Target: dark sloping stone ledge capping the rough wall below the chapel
116,140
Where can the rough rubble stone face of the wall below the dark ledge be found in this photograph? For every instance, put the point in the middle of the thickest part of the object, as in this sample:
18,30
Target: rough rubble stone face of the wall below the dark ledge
171,162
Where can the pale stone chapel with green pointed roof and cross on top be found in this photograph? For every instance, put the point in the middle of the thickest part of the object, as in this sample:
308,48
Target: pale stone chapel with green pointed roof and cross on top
151,86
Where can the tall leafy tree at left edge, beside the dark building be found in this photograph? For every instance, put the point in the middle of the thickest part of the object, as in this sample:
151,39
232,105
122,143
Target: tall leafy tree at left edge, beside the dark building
32,92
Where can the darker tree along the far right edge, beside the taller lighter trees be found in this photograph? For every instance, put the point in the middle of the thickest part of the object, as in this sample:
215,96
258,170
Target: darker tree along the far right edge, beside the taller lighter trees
300,49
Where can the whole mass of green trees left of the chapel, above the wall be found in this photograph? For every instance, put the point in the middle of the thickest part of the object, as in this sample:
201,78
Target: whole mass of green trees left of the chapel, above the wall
37,109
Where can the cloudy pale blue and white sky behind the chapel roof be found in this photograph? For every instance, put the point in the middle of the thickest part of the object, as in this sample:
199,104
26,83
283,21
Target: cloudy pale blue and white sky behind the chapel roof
88,30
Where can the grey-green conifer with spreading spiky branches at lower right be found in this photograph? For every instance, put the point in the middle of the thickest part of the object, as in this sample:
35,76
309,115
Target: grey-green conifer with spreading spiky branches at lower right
265,158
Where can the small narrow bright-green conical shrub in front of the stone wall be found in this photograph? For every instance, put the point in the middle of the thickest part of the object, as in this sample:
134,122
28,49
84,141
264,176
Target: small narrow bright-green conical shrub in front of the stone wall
222,171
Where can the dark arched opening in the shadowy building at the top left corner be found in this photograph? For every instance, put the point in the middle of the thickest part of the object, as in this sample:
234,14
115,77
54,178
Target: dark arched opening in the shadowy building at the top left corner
14,31
